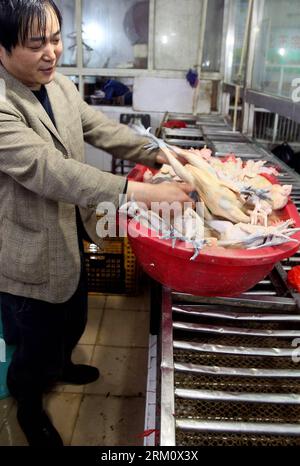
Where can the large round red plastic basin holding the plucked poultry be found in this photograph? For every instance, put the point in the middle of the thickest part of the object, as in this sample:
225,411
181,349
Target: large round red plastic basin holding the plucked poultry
216,271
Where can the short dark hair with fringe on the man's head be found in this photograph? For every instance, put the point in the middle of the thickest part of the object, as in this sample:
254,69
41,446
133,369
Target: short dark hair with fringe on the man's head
16,20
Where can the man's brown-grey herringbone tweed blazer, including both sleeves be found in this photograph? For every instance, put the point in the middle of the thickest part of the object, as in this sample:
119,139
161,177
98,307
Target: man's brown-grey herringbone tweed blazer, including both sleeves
43,176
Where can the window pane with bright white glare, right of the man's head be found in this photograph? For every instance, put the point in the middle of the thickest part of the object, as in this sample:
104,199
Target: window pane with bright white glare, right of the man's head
115,33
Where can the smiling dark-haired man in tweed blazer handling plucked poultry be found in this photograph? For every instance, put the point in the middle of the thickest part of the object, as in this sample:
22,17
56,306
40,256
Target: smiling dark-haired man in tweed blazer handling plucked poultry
43,126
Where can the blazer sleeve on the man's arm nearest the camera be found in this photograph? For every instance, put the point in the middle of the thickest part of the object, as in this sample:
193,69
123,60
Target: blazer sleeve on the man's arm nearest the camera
41,168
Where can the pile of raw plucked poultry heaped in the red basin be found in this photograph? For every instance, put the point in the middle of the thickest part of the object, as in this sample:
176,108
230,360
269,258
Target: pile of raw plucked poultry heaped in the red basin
239,204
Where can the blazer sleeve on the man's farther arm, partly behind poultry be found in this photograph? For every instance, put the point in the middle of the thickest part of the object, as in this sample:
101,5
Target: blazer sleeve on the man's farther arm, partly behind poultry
117,139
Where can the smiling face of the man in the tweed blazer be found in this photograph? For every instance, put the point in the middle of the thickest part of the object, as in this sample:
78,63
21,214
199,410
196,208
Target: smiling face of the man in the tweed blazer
34,63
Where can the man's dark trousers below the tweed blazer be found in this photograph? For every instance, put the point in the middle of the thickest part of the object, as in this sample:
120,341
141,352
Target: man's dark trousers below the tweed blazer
45,335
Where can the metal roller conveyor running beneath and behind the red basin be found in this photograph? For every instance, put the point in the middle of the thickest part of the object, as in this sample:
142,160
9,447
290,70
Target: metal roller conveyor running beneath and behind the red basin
229,367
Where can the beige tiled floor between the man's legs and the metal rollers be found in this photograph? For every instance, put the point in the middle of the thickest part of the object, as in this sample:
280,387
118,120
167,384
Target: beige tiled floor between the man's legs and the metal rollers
110,411
